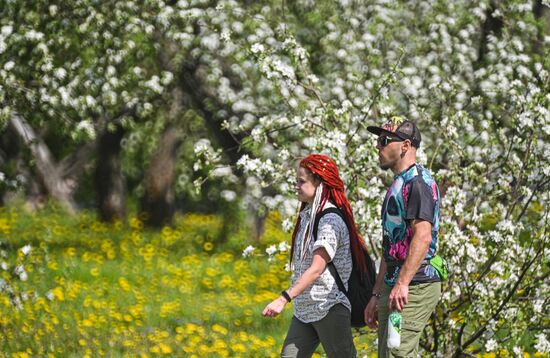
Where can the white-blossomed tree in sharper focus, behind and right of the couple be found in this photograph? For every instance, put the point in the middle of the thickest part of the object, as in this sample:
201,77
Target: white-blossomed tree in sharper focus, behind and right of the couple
474,76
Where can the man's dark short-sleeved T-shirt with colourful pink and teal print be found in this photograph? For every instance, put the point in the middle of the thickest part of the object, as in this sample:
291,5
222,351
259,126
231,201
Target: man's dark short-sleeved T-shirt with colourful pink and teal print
412,195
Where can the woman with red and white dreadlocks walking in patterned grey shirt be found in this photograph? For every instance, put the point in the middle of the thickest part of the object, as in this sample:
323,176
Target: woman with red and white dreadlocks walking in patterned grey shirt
321,311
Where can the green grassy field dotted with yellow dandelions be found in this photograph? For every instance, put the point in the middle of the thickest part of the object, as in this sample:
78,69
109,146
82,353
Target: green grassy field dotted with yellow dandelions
73,287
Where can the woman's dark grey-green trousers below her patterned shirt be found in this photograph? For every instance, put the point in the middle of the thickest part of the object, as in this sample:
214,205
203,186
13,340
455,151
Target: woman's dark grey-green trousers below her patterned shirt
333,332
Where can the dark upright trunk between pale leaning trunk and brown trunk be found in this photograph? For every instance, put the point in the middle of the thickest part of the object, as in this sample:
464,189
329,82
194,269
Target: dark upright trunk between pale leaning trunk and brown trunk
109,181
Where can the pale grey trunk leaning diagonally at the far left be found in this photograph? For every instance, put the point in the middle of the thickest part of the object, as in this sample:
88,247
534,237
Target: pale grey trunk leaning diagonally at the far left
46,167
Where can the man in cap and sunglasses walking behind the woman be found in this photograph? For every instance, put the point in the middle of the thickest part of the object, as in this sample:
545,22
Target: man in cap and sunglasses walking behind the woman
410,221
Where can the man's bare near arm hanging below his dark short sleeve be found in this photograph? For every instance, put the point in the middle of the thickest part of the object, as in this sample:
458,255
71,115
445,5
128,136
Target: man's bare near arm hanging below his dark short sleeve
420,243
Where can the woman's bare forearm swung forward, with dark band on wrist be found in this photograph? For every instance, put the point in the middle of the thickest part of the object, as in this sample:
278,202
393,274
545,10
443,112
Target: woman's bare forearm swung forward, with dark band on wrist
319,264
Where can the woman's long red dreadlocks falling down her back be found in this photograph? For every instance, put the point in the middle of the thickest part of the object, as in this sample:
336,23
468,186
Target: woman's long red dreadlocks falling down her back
333,191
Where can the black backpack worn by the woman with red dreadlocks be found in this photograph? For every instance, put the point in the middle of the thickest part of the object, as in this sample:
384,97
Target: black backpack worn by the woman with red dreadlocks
359,288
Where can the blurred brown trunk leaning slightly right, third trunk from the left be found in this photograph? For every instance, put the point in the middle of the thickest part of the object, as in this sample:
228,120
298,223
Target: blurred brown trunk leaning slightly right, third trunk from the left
158,201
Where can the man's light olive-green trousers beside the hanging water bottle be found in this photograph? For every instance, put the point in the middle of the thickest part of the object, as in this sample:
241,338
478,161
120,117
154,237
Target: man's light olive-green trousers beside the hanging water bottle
421,303
